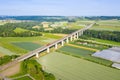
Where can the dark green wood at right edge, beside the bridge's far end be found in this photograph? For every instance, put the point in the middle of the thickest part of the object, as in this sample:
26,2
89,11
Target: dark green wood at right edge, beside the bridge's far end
106,35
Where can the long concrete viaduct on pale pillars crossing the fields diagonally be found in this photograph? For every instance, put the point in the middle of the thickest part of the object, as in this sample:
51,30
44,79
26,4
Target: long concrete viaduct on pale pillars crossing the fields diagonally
73,36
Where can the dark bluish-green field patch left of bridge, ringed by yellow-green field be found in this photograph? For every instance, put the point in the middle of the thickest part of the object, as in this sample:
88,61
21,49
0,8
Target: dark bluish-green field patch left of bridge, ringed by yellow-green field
27,45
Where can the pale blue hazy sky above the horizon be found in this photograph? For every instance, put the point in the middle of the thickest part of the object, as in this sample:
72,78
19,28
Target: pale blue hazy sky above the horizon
60,7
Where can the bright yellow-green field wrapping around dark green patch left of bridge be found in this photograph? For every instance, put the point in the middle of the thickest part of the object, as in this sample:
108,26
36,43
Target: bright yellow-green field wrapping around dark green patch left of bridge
6,42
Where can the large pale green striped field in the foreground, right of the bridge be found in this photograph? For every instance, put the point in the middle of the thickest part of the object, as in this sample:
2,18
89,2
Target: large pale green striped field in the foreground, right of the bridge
66,67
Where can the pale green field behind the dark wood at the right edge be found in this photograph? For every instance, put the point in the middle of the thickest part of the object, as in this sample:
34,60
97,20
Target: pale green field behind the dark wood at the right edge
109,25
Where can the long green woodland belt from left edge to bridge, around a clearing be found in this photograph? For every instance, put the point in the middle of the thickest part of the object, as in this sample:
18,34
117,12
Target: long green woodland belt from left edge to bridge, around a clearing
7,30
